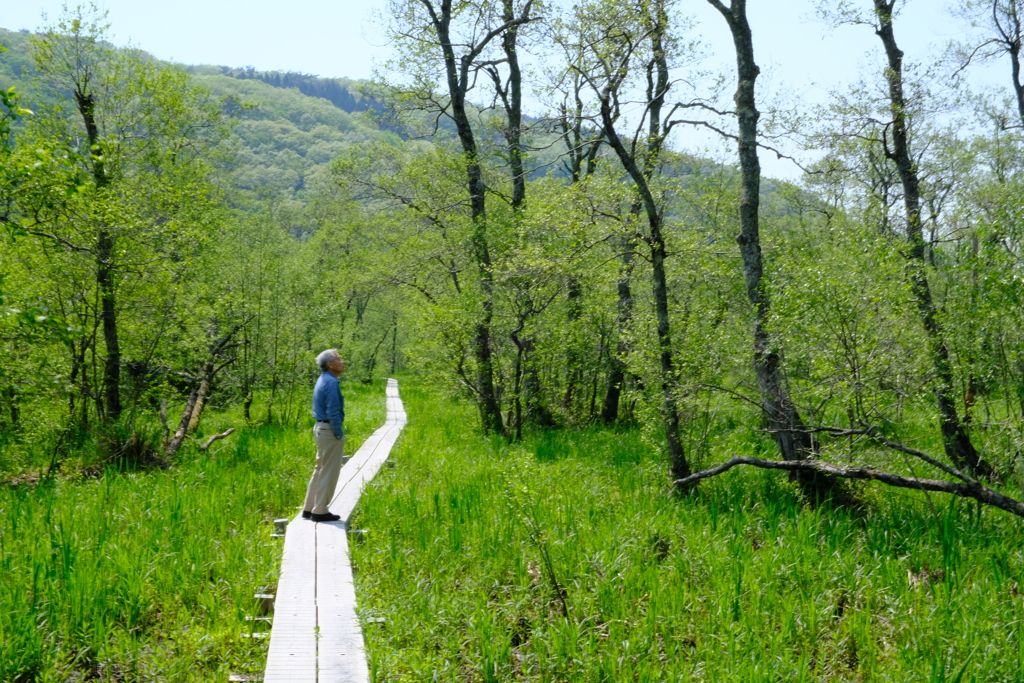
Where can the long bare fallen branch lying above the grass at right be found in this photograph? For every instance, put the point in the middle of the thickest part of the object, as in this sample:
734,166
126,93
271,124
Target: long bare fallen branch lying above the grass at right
975,490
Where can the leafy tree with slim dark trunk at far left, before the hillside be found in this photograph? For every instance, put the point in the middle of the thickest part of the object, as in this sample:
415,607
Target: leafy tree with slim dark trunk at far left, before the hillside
135,137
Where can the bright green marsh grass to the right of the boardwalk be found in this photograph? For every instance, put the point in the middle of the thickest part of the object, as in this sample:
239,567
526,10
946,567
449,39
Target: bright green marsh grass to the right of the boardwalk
476,546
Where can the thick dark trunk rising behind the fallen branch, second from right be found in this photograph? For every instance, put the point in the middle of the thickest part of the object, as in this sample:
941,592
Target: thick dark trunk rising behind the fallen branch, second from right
782,413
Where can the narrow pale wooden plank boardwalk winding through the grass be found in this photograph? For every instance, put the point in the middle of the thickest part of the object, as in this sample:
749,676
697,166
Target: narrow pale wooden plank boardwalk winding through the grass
317,636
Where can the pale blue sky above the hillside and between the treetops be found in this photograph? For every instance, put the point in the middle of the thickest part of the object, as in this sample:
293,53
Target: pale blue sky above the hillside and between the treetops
800,57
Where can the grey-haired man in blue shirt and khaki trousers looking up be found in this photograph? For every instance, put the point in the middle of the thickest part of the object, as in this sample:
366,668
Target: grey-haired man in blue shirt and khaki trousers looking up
329,411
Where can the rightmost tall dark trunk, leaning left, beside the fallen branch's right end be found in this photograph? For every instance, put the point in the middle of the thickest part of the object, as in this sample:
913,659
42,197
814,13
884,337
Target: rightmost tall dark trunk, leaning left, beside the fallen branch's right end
958,444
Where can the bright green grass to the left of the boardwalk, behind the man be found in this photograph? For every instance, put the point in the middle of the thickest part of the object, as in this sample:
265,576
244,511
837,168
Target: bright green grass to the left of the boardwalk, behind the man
149,576
